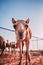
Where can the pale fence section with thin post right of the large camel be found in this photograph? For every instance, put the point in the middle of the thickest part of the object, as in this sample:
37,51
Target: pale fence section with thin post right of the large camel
36,43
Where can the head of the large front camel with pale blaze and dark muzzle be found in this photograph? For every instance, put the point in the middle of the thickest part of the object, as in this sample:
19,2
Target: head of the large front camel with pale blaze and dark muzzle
20,27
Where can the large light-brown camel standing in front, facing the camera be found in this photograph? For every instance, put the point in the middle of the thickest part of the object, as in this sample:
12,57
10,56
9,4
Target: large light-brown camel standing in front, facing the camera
23,34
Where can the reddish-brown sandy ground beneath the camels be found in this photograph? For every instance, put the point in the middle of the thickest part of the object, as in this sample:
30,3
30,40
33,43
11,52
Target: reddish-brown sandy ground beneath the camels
11,58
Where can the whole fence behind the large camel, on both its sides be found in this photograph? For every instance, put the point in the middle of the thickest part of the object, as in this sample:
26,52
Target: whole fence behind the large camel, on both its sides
36,43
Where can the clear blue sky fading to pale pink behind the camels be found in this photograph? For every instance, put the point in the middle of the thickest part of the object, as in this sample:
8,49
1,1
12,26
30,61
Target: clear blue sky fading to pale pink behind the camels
21,9
